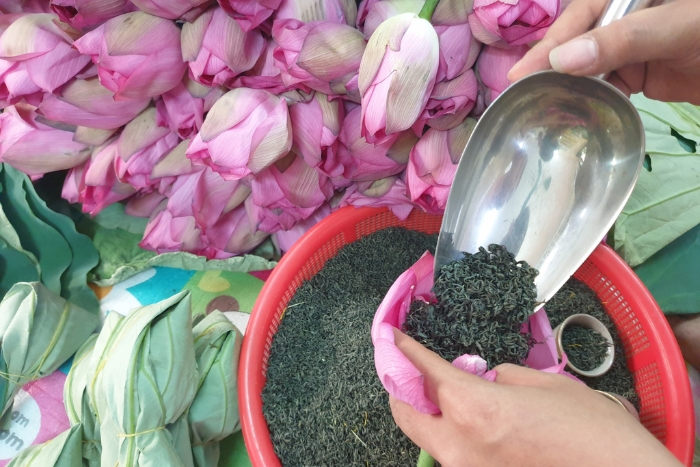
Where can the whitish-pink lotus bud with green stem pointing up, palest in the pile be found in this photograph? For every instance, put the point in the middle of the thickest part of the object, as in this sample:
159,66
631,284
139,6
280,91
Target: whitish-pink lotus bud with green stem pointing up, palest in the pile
397,75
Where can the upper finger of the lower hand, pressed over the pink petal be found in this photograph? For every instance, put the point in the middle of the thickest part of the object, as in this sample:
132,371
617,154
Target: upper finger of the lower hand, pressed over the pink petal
438,374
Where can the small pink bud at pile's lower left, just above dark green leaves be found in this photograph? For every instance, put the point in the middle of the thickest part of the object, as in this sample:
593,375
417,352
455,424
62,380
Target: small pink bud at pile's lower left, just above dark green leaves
96,181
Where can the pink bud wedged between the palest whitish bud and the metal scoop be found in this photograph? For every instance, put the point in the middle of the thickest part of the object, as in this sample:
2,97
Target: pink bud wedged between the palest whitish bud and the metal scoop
451,101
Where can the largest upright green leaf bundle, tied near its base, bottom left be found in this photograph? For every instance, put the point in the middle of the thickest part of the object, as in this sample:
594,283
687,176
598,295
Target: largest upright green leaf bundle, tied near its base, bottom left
145,377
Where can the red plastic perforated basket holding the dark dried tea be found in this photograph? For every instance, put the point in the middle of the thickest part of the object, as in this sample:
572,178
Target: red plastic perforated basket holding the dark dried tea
651,349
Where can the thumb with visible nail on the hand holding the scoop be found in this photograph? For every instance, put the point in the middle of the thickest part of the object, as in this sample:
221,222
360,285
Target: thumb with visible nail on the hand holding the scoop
652,34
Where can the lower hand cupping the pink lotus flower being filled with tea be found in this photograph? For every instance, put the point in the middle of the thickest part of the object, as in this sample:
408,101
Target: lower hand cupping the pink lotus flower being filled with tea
526,418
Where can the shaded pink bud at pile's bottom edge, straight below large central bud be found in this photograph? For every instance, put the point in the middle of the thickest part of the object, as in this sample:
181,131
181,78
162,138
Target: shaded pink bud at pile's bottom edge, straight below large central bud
233,234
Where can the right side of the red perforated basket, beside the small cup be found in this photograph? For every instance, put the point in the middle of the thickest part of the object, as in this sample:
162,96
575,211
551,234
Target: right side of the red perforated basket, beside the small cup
651,349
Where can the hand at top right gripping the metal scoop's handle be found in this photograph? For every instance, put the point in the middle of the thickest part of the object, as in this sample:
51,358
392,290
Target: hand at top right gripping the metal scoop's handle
655,50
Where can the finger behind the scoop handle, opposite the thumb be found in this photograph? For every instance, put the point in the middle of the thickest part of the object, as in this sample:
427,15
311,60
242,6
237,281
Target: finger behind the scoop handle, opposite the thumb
578,18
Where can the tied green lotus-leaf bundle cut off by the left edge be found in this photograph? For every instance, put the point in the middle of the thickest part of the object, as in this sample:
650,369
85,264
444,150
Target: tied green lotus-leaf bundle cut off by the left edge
39,331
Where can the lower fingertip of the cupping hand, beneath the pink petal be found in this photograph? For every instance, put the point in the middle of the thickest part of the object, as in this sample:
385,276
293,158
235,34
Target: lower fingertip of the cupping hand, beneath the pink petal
422,429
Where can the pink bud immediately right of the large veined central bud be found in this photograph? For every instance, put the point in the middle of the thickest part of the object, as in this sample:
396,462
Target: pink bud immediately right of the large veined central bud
315,126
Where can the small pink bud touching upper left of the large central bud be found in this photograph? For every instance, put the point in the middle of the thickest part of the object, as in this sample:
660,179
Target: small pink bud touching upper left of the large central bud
182,108
